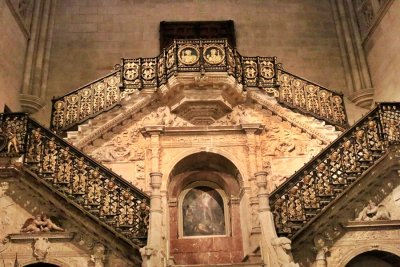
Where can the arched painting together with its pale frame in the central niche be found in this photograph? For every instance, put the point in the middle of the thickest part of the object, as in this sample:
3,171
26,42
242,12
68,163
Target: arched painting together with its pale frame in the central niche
203,210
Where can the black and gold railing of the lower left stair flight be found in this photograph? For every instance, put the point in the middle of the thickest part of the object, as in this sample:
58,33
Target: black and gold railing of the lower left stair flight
93,188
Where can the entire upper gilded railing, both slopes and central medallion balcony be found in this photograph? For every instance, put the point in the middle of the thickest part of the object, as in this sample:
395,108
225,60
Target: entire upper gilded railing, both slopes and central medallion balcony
214,55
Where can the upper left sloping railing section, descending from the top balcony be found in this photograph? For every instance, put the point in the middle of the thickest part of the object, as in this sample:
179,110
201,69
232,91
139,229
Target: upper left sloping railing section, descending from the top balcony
86,102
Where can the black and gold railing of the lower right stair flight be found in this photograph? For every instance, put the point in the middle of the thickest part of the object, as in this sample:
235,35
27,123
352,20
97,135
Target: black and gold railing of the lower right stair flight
324,178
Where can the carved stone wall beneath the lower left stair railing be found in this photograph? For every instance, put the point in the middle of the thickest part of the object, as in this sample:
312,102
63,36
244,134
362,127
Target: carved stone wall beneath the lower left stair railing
26,239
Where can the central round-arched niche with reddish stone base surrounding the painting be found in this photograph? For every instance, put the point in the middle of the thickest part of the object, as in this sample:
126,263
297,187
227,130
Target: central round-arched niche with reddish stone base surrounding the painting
213,174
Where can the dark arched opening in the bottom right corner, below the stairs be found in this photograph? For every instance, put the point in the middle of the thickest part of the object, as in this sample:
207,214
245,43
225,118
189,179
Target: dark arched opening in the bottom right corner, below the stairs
376,258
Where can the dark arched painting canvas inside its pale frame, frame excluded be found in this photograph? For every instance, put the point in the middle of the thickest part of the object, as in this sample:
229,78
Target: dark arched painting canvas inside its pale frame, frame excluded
203,212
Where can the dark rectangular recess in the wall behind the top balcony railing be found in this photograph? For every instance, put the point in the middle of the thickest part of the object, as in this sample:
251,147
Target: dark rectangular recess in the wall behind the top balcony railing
170,30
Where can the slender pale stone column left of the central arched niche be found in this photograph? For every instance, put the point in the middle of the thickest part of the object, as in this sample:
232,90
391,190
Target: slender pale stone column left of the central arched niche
151,253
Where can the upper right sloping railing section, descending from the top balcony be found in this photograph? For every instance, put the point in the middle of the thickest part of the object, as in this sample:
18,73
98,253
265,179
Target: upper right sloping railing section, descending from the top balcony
310,98
